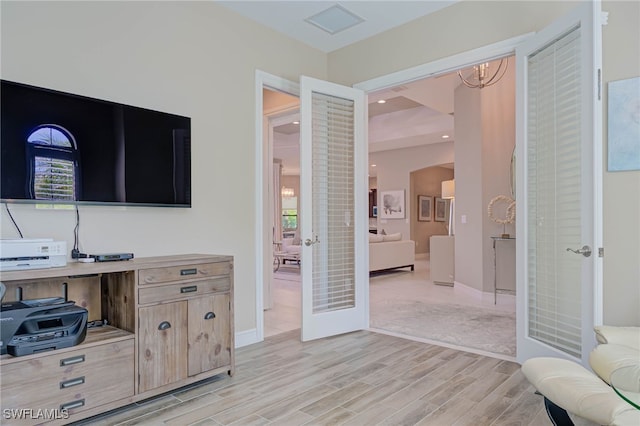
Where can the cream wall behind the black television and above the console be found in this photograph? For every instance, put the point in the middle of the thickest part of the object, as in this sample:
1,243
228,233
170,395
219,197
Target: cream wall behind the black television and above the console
191,58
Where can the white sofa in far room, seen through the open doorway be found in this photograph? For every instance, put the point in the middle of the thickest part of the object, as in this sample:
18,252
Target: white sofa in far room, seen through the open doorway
390,252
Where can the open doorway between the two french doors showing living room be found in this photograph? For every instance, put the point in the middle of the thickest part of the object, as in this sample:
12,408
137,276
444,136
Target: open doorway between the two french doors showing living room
475,130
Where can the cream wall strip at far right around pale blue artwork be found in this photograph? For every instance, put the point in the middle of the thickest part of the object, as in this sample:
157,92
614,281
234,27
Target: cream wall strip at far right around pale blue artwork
621,60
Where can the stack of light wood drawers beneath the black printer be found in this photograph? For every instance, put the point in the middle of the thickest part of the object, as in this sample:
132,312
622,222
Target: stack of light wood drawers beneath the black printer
76,380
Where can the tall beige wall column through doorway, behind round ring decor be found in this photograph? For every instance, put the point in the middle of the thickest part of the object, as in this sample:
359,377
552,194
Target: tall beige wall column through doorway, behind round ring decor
485,138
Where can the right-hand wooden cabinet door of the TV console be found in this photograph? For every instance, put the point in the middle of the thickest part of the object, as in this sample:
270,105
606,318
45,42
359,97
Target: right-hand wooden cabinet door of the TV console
209,333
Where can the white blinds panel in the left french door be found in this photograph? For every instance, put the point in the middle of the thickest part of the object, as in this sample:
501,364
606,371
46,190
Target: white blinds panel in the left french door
333,281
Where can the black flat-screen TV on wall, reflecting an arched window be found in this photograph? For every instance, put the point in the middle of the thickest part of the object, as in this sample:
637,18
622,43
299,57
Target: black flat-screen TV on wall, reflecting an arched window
62,148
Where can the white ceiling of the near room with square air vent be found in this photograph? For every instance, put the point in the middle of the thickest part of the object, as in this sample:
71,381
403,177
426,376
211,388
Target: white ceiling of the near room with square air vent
292,18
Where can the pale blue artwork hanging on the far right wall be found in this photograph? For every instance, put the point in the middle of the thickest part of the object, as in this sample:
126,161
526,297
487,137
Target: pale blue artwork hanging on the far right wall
624,125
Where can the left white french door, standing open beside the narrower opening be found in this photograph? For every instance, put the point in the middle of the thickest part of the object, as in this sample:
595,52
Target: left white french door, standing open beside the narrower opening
333,209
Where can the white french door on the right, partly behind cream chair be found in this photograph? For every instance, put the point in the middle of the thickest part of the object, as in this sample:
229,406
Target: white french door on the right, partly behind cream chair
559,148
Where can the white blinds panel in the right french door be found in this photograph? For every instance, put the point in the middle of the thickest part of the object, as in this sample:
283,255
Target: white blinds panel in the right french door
554,194
